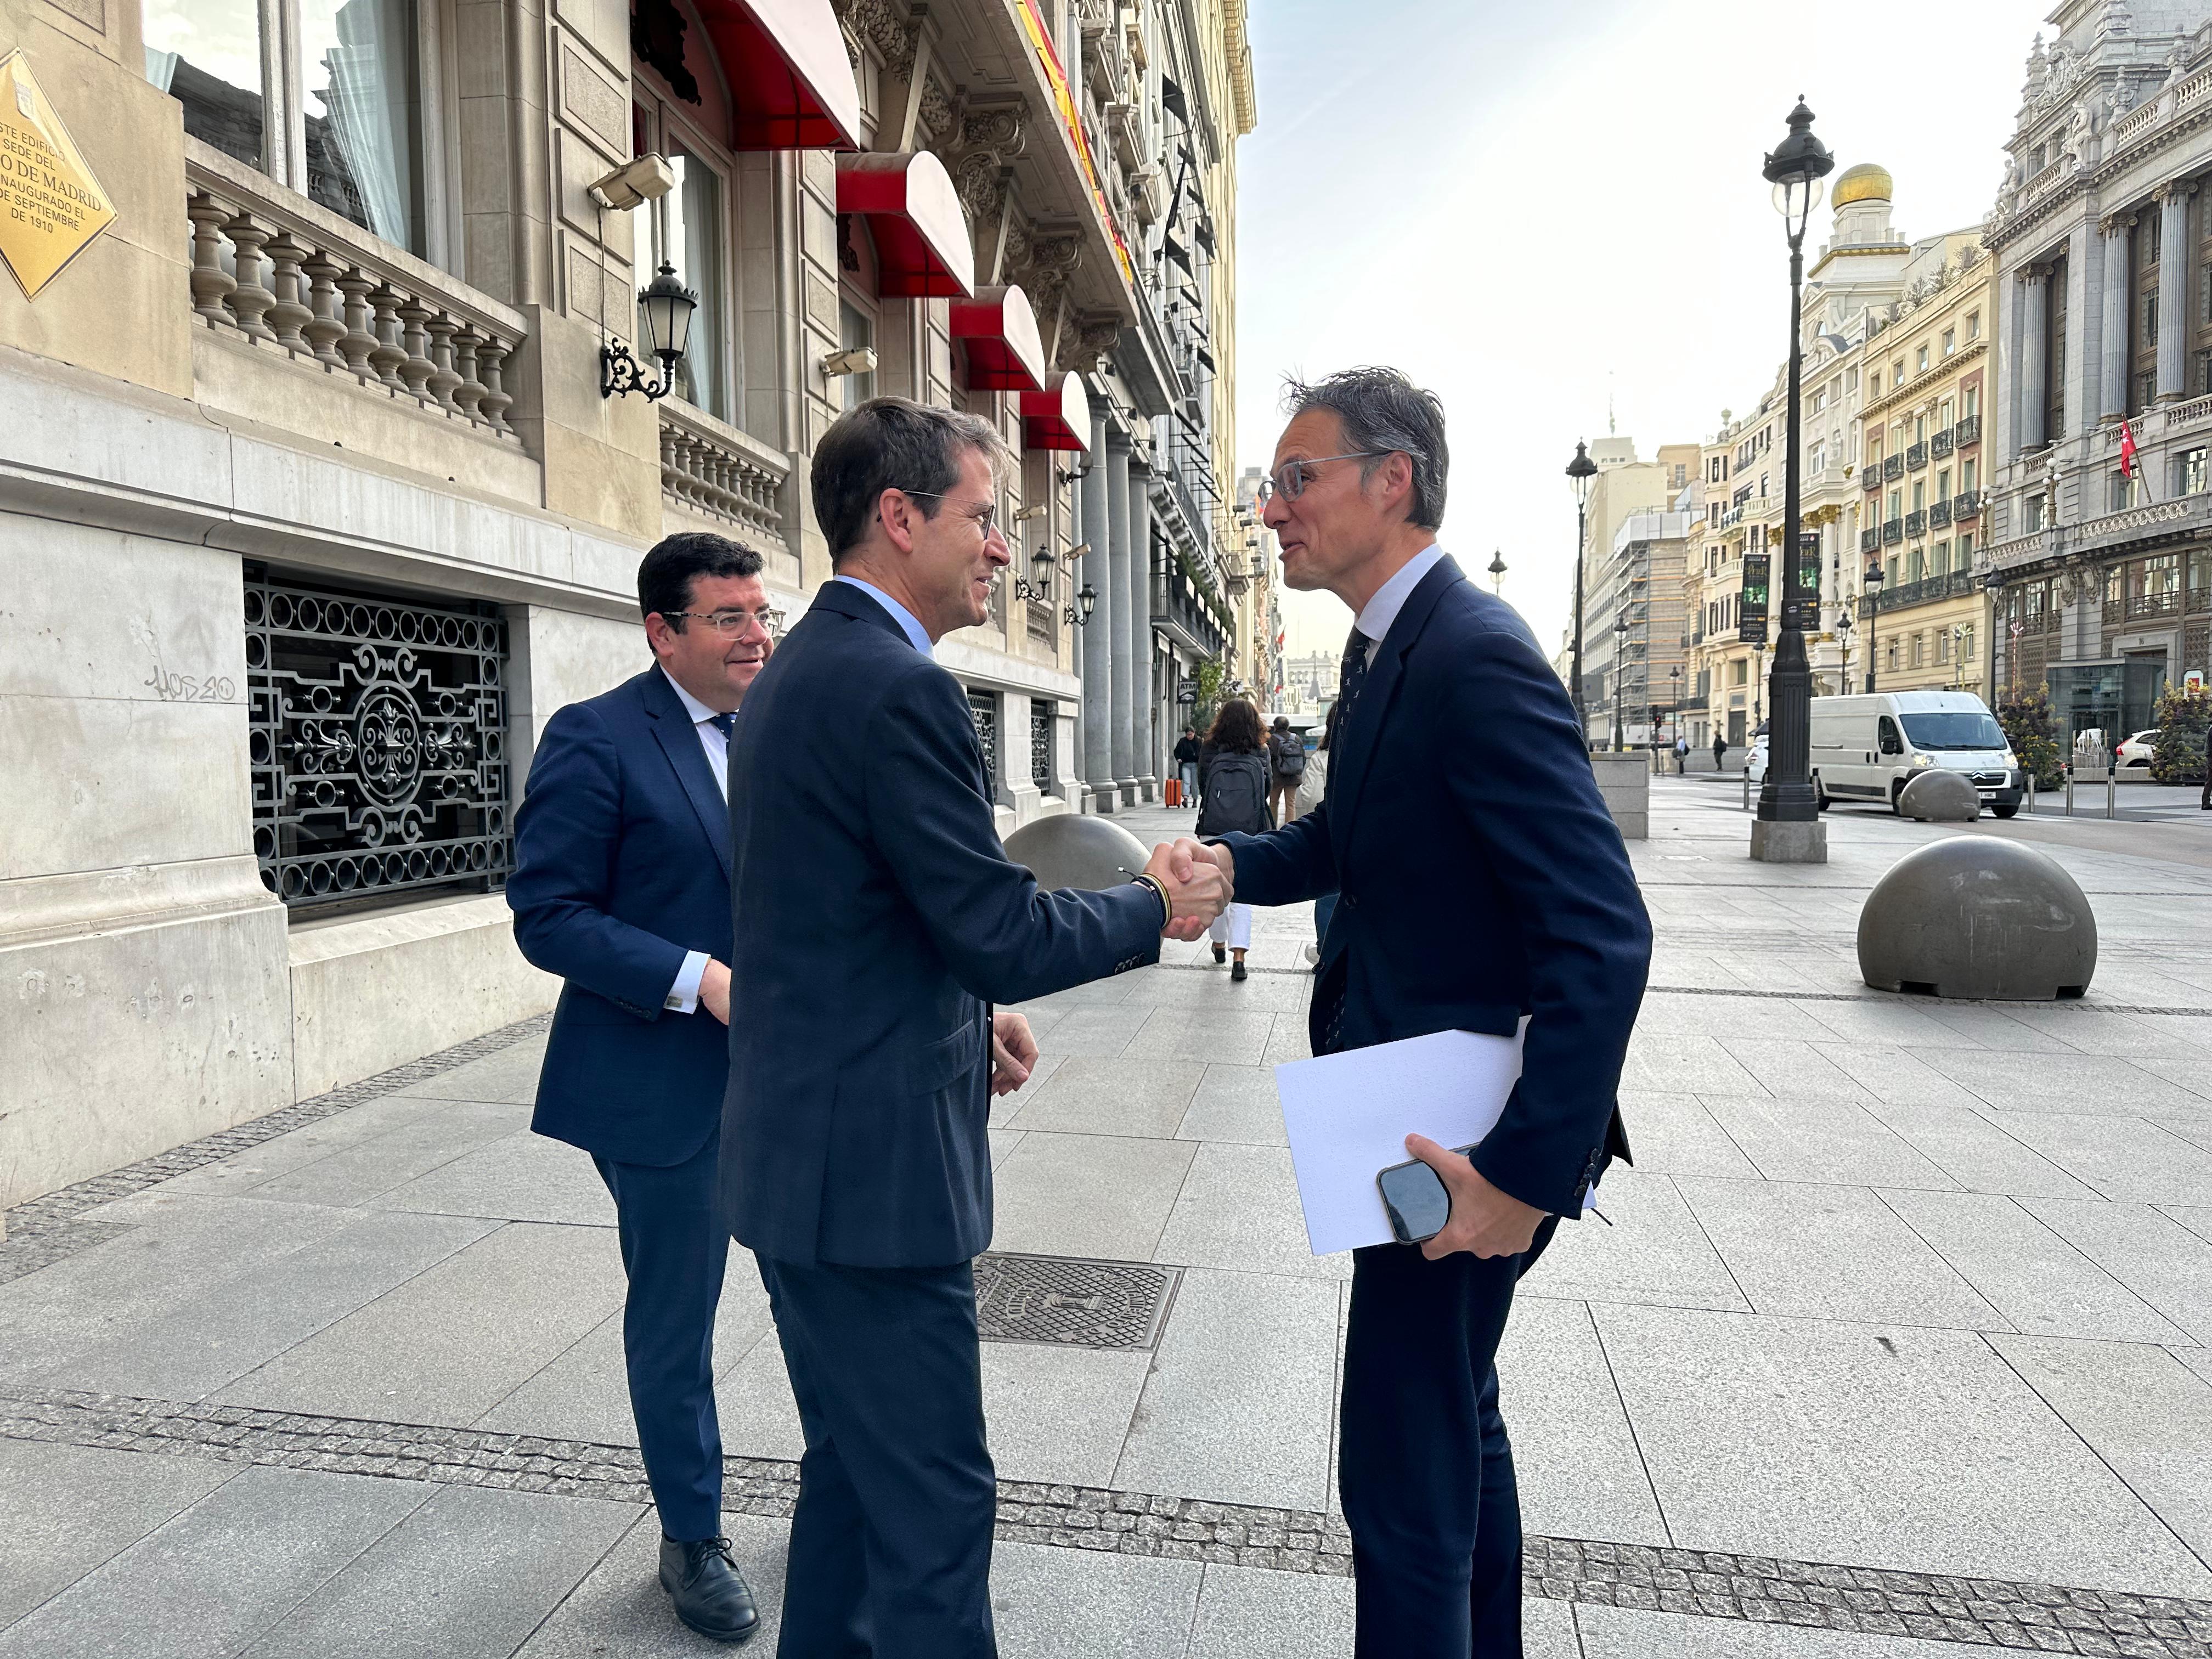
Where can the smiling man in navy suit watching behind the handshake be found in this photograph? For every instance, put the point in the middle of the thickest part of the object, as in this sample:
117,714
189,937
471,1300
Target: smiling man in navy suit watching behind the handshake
623,888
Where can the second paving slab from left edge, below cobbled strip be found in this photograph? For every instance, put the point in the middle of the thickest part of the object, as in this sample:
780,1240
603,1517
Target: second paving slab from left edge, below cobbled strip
225,1572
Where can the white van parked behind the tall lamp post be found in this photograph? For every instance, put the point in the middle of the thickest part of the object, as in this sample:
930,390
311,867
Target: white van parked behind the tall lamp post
1866,749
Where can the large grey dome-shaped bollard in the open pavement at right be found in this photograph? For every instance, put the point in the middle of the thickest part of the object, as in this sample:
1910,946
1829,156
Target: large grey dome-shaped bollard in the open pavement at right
1974,917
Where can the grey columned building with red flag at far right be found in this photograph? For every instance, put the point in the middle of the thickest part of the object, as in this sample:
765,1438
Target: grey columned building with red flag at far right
2103,253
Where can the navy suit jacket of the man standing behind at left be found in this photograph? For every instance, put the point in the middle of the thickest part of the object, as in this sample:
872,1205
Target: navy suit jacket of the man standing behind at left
623,868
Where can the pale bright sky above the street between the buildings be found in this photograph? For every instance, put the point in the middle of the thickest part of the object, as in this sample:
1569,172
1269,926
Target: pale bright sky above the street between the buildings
1545,211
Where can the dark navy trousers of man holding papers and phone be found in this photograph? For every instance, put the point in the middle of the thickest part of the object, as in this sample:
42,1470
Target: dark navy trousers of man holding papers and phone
1423,1459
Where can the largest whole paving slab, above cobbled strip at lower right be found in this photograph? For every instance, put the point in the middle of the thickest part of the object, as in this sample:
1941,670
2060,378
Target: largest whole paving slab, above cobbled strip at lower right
1899,1448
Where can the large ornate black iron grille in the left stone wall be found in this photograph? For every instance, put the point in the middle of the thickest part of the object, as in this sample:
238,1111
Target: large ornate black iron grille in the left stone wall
379,742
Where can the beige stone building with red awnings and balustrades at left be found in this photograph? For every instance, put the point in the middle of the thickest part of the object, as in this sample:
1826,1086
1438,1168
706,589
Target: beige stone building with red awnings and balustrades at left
317,501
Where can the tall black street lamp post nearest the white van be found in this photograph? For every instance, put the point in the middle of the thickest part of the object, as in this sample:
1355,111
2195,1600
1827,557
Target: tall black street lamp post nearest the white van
1788,826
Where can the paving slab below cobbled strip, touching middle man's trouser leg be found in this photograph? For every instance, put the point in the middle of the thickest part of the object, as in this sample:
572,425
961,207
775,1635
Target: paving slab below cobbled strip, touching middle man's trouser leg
1056,1603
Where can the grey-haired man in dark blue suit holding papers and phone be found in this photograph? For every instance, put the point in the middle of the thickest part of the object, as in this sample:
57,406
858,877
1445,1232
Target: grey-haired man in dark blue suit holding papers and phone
1483,881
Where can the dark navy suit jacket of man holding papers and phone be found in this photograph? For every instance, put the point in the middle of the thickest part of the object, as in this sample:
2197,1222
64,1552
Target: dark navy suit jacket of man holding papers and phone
1481,877
